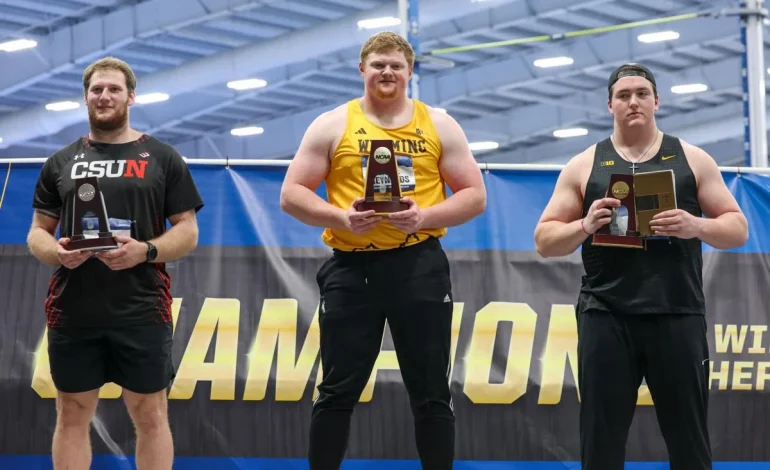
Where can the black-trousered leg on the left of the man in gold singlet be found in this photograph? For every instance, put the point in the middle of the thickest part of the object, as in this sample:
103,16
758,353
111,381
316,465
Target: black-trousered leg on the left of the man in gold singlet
351,325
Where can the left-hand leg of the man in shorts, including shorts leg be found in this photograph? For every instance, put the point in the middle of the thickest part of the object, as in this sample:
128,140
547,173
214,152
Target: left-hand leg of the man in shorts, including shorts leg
77,369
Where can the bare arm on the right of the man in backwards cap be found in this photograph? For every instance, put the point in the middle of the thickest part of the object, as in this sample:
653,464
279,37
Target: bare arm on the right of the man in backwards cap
725,226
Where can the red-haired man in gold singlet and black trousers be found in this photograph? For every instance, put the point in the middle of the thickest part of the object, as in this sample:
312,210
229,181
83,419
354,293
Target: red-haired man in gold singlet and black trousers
384,267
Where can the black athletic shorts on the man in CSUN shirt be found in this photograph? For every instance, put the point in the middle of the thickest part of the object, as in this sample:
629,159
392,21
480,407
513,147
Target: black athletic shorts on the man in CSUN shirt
138,358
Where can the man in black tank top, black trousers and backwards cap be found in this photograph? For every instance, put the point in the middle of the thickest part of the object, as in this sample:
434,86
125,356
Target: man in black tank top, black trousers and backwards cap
641,312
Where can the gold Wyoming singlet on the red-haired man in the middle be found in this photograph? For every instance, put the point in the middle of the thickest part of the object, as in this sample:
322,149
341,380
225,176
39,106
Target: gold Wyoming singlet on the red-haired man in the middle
417,148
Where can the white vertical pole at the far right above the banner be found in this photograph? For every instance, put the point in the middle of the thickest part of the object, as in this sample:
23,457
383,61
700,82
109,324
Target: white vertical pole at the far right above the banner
753,75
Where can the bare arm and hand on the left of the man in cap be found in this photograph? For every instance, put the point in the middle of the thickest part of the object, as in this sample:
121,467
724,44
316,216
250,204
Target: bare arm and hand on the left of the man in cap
561,229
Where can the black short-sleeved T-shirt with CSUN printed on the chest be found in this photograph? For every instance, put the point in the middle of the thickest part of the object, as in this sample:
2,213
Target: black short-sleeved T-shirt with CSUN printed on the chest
144,182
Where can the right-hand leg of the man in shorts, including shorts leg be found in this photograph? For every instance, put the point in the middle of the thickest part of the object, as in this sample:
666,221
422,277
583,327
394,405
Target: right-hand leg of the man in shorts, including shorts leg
141,363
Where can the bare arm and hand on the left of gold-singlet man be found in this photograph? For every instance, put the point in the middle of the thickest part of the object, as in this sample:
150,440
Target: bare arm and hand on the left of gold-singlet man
309,168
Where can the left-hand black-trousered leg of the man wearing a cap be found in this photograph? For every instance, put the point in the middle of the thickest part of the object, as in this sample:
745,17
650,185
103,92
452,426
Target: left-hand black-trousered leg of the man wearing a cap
609,377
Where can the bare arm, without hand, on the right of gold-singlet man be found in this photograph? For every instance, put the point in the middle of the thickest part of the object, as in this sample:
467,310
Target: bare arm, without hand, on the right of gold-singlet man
461,173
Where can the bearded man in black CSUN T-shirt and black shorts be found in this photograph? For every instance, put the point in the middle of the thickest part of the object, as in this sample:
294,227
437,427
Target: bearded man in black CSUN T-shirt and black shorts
109,315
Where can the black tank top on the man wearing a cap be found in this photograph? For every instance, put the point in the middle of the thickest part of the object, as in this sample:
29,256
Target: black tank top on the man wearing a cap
666,277
